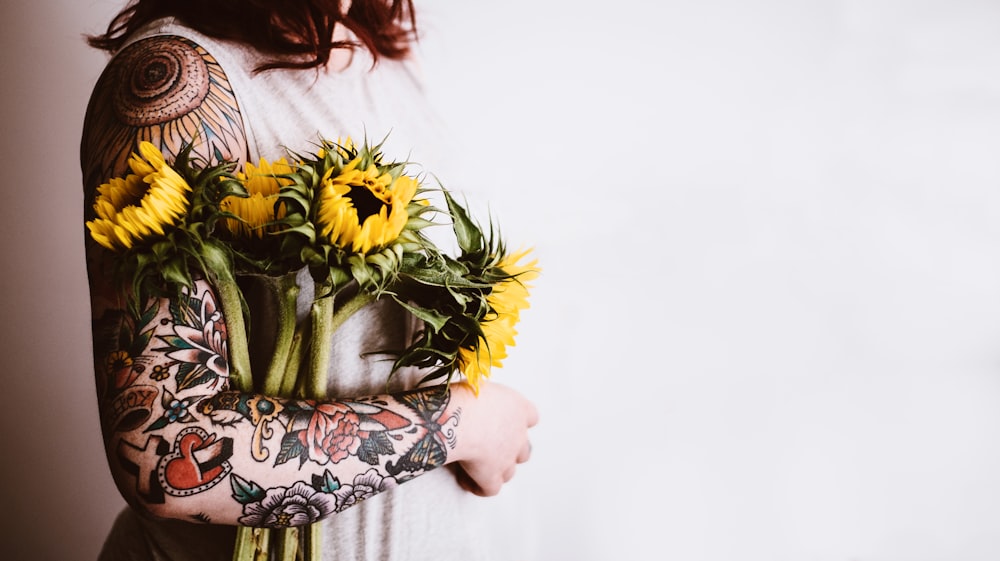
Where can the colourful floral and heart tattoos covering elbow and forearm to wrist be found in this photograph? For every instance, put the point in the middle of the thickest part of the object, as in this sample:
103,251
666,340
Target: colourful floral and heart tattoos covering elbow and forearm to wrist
177,431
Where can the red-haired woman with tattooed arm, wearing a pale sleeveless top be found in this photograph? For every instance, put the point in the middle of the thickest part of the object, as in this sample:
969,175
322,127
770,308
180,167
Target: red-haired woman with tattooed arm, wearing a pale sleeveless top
245,80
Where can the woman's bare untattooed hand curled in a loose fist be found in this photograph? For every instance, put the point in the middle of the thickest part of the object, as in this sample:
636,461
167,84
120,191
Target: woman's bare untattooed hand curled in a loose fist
492,435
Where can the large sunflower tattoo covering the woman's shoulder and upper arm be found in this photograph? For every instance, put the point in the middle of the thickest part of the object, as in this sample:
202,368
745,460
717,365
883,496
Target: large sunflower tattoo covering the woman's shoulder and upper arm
166,90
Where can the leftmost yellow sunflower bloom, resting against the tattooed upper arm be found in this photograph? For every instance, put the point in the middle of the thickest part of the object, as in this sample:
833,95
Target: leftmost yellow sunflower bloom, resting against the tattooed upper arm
148,201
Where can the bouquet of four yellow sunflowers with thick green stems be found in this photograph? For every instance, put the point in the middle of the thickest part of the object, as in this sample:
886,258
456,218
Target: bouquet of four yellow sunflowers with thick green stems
356,223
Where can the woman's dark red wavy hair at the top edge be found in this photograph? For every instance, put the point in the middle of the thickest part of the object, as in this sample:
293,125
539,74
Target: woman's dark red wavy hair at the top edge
298,33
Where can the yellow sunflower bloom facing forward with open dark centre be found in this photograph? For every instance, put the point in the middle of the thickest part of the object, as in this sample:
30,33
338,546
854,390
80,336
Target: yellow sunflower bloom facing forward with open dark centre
364,209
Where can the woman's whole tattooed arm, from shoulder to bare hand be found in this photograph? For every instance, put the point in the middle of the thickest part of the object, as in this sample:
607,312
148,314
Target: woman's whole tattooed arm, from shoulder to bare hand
179,444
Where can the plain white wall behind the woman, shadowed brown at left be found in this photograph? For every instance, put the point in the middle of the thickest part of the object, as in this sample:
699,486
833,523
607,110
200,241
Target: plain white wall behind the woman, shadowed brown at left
769,322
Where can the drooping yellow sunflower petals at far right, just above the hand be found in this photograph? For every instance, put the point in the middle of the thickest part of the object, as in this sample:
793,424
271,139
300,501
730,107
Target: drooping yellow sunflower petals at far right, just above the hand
506,301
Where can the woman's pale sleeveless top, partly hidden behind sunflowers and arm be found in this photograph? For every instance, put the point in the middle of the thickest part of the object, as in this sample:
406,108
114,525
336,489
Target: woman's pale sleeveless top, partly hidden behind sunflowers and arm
431,517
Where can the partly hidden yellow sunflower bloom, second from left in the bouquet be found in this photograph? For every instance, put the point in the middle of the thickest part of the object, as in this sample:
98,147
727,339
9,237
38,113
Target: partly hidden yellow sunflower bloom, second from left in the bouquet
257,211
